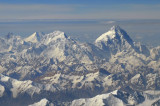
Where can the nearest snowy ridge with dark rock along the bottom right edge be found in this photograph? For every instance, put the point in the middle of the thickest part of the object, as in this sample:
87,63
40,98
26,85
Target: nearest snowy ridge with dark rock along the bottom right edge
120,98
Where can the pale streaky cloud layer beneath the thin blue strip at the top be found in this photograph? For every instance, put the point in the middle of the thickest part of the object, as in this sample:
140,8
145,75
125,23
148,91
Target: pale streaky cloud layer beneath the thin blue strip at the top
75,11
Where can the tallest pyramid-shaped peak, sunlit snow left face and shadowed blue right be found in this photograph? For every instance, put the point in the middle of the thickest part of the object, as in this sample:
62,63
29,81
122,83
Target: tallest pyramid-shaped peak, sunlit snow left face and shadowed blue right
115,40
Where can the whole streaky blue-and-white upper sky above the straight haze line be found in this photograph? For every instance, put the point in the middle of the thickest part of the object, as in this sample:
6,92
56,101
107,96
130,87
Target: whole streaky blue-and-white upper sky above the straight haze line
79,9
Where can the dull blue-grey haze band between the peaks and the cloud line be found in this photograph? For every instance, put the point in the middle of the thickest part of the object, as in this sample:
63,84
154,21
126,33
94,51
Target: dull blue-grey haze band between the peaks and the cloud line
145,31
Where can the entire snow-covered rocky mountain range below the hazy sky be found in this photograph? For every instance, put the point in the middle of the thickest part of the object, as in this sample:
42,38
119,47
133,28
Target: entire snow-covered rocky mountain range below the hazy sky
54,69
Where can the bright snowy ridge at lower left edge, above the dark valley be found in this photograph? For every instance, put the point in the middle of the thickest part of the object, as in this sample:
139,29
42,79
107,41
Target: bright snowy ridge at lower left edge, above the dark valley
17,87
